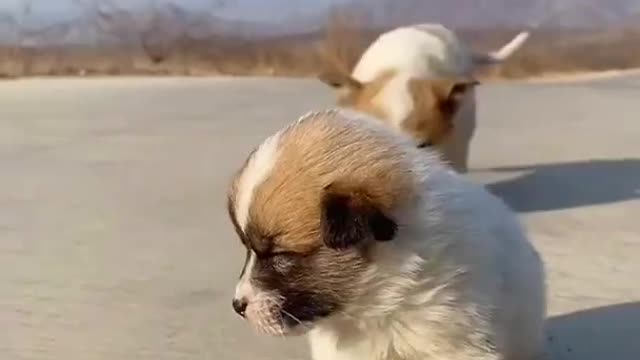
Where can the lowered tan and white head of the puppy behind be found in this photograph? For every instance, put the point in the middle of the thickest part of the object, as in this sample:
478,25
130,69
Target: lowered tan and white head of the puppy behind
424,109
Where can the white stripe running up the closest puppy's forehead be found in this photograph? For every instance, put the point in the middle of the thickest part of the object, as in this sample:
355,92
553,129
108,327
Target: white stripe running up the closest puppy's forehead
257,170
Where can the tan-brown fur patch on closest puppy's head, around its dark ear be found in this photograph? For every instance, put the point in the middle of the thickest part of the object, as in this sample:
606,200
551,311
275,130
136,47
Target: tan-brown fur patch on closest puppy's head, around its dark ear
317,153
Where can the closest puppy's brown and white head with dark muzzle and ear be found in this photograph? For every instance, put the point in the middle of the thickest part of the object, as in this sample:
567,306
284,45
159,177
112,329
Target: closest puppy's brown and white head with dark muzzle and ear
309,206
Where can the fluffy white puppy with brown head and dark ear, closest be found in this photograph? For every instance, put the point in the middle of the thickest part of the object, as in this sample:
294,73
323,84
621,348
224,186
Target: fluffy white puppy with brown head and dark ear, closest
376,251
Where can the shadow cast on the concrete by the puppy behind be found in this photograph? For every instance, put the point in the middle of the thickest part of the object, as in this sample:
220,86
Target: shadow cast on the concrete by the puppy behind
568,185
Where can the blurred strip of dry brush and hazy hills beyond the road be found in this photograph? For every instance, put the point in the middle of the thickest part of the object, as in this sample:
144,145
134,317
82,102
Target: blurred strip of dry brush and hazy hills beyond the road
296,37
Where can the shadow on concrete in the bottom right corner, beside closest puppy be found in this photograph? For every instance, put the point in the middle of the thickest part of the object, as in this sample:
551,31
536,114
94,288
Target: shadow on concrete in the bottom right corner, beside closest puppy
605,333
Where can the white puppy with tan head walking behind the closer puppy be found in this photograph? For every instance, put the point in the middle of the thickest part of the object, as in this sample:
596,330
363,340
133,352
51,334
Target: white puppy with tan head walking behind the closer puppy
419,79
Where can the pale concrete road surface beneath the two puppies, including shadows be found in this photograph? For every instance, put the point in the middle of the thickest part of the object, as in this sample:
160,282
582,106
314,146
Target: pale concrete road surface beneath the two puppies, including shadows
114,242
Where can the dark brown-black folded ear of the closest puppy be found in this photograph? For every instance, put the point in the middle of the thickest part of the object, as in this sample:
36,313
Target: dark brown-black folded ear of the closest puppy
350,217
